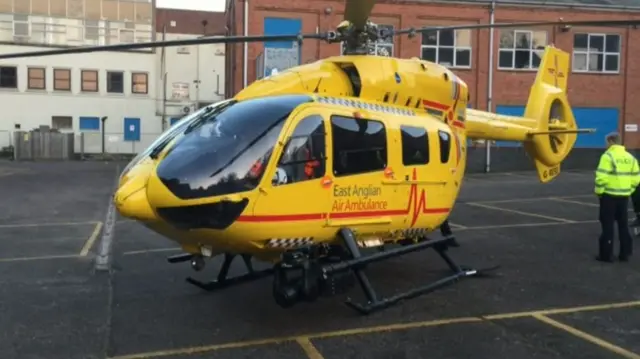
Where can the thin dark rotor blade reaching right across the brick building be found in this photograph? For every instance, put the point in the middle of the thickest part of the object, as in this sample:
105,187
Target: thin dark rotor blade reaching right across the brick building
606,23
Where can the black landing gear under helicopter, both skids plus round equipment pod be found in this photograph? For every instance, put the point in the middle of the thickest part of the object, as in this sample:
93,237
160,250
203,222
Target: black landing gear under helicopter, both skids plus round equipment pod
307,273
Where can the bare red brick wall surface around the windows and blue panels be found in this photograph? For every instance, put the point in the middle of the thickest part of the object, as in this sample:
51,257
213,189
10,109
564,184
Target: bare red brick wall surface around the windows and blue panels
510,87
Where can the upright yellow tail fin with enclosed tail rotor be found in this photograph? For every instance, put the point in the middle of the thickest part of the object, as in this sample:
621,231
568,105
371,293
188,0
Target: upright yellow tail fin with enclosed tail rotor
556,131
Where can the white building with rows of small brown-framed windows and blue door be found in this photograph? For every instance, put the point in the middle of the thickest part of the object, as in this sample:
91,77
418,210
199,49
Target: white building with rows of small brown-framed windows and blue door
75,92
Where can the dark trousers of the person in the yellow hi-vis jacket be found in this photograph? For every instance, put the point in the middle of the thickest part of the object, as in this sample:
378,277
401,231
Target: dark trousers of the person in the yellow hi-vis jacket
613,209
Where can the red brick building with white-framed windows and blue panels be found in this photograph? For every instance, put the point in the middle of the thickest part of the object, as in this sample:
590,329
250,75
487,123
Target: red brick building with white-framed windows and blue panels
604,83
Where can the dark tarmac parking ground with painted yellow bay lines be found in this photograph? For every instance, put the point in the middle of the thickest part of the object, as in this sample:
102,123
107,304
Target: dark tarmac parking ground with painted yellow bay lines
549,298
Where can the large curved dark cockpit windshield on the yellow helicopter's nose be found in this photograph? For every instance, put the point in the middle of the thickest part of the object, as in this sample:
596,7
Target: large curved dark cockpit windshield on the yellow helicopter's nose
226,151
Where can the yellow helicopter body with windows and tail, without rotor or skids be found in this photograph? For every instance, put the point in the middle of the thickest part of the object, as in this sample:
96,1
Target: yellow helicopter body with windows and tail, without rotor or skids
373,144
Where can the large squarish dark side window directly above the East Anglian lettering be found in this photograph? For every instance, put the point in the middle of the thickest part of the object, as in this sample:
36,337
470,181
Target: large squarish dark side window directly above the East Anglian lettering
359,146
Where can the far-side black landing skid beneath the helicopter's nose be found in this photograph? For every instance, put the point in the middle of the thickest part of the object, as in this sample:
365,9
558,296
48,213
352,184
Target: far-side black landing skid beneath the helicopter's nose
222,281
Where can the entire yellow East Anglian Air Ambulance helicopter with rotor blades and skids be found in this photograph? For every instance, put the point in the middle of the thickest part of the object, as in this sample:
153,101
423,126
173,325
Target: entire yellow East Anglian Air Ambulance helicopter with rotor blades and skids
308,167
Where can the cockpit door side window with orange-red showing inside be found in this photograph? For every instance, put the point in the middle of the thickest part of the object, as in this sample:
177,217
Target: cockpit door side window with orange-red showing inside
303,157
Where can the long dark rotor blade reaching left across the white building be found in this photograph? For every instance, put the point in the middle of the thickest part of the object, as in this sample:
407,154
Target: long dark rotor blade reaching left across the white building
153,44
